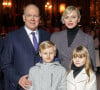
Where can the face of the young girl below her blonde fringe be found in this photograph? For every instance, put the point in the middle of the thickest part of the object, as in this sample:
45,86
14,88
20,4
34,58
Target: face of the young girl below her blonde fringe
79,60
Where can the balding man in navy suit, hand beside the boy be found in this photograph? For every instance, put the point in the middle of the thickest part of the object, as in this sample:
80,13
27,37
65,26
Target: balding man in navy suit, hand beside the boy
19,53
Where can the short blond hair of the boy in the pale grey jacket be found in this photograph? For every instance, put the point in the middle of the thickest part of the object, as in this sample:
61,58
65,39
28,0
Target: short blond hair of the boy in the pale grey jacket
46,44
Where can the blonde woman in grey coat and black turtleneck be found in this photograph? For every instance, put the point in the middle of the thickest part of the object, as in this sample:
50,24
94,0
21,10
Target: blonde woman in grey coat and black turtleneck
72,37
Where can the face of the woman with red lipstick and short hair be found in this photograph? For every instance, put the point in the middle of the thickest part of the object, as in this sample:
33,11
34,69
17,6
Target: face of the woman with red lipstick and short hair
71,20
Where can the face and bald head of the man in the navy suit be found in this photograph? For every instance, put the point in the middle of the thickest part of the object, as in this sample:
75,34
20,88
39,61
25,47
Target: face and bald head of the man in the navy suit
31,17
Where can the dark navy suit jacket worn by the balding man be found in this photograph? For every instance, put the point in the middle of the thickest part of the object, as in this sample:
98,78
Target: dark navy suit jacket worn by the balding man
19,55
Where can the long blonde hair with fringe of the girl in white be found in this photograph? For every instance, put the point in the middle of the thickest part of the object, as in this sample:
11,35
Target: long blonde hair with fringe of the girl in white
82,51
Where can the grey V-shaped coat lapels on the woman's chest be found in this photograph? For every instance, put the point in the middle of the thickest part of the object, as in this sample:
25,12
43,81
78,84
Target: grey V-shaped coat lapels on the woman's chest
63,42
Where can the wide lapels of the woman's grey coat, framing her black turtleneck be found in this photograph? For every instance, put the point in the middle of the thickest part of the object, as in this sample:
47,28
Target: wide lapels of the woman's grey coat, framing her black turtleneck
63,35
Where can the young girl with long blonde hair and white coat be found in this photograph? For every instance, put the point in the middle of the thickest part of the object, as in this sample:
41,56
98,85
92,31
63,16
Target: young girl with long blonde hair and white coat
81,75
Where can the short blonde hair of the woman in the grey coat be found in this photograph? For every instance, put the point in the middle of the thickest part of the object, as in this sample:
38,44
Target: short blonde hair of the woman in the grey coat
69,10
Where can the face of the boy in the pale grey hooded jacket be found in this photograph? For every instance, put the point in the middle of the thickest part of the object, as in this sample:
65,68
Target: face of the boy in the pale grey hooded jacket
48,54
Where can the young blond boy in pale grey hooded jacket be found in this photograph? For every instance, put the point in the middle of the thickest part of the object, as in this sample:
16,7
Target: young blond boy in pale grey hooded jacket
48,74
